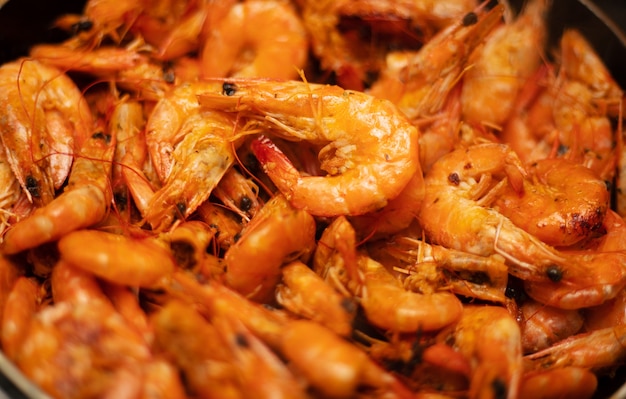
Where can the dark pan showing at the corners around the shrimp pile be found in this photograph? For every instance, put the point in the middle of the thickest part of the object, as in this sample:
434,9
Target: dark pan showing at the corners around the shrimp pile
26,22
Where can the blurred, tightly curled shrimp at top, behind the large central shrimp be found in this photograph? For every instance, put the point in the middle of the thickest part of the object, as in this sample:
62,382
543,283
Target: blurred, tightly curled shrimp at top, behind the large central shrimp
256,38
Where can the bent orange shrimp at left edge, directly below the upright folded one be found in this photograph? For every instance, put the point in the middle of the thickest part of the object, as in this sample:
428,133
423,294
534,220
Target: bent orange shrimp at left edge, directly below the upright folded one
83,203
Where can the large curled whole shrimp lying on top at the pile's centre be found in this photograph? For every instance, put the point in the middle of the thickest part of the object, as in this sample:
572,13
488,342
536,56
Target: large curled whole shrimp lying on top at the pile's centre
369,156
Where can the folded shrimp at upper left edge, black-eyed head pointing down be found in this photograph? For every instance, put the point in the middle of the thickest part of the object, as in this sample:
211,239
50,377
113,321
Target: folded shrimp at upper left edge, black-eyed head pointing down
36,98
